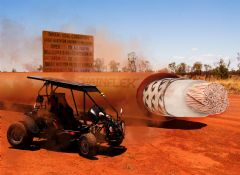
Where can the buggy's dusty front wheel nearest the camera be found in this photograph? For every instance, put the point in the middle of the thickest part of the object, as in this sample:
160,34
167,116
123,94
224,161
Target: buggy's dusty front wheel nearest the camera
88,145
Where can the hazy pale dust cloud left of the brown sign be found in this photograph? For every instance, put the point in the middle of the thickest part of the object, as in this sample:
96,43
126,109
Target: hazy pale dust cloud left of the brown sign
18,49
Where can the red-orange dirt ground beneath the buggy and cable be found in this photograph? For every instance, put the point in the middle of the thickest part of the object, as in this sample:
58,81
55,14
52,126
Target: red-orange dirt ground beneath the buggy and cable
207,146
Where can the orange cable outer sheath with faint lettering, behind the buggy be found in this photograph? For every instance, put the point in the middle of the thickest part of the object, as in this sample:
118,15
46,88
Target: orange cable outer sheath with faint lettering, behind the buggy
119,88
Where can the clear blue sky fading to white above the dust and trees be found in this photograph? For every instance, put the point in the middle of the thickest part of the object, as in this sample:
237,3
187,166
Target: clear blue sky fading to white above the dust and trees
165,30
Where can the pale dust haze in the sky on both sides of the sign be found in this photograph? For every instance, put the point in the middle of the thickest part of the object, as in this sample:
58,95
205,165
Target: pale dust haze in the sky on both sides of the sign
23,51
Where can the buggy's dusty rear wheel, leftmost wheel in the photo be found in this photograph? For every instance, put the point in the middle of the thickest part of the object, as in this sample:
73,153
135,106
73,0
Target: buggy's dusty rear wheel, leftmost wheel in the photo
18,135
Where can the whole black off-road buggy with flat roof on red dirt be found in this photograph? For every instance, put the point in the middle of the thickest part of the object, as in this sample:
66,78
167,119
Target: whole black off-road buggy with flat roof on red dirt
53,119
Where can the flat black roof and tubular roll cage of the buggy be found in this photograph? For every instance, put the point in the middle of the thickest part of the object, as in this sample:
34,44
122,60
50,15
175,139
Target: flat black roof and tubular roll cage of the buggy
85,88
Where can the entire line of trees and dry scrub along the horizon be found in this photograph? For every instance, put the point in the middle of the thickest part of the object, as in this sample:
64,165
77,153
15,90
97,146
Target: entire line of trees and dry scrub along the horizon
220,72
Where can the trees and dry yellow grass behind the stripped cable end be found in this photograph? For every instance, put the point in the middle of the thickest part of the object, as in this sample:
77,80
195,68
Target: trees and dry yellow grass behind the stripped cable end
220,73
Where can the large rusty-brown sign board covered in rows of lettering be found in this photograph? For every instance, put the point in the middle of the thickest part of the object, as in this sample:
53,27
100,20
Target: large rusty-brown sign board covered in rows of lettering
65,52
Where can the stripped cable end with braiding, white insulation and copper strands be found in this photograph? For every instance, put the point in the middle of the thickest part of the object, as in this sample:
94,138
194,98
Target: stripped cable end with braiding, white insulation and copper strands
179,97
